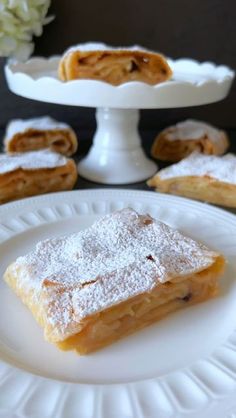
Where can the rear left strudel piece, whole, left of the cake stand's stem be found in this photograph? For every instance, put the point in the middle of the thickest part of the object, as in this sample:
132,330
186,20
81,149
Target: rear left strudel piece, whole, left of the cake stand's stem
39,133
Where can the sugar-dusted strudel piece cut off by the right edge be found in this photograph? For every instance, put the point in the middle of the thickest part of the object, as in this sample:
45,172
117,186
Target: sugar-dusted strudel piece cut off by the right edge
203,177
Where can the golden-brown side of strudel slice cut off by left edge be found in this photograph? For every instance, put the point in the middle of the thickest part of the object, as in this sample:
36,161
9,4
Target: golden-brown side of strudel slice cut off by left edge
24,183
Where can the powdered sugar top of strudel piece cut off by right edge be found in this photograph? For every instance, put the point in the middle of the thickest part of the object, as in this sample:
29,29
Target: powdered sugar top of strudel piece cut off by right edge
220,168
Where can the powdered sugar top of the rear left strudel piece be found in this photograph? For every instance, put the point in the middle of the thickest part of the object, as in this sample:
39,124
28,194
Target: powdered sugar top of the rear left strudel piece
44,123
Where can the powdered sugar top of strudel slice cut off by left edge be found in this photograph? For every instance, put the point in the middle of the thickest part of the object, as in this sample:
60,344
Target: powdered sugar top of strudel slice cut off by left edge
31,160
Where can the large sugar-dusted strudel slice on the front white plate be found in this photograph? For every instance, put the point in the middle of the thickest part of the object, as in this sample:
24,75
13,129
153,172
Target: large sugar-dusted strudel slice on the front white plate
123,273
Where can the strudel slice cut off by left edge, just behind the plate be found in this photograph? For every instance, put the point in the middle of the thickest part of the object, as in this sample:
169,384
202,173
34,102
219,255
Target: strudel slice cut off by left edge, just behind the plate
33,173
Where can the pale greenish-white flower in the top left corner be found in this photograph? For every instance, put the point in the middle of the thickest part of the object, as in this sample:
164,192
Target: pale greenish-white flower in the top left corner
20,20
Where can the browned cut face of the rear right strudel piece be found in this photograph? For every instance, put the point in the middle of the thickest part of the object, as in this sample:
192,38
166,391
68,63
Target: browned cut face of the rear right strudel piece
175,150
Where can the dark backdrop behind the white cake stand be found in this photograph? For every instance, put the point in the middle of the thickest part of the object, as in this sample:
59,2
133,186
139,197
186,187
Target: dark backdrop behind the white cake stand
203,29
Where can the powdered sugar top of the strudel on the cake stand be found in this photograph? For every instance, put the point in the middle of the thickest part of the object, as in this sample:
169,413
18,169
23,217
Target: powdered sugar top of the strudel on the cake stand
99,46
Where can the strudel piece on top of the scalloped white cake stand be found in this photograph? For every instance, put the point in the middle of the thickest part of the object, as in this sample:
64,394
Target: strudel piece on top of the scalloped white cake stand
97,61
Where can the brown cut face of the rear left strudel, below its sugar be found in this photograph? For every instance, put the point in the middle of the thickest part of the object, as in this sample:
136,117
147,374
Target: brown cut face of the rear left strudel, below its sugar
63,141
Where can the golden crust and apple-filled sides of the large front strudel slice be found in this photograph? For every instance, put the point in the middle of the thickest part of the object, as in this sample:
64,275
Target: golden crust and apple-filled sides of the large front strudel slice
99,330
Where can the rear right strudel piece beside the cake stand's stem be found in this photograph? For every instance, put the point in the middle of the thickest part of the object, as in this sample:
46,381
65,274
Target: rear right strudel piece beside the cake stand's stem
179,141
